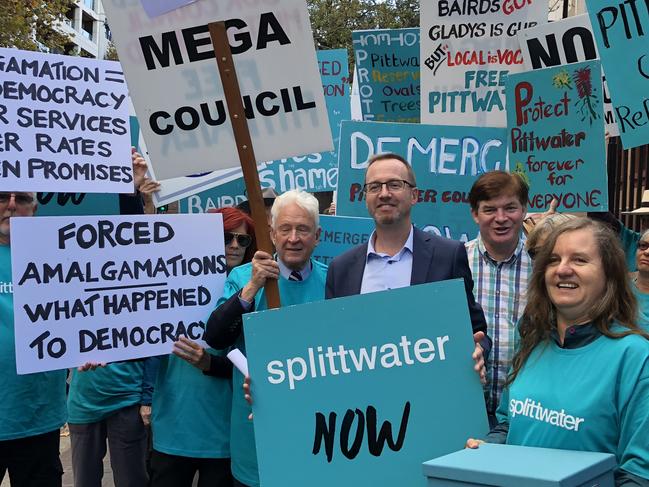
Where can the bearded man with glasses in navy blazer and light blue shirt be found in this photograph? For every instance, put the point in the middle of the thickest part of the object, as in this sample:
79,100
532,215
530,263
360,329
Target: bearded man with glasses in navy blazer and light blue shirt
398,254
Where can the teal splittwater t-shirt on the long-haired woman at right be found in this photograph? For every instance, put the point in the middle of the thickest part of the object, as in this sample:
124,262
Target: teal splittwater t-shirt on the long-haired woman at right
593,398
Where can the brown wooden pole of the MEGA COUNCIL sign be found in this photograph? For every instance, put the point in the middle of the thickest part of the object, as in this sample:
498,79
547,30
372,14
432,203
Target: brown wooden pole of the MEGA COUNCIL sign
244,147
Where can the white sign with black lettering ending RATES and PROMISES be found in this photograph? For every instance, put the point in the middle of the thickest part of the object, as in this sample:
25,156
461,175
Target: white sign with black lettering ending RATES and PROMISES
63,124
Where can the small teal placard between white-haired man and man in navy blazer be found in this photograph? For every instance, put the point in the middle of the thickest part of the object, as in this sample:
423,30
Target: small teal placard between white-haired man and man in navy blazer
339,234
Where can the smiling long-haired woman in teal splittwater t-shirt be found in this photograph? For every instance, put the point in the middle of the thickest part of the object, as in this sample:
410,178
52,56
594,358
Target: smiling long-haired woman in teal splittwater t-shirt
580,376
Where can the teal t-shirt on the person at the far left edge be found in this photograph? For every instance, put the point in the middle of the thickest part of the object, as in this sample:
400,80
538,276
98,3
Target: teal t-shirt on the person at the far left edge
31,404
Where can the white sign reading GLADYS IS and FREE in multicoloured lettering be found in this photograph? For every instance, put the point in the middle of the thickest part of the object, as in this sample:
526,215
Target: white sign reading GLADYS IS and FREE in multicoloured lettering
467,51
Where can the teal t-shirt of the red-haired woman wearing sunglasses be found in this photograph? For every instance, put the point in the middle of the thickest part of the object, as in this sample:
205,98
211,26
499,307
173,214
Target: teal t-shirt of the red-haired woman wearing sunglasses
190,411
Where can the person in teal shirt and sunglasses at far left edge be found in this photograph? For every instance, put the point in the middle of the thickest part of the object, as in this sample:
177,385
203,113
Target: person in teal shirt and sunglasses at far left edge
32,409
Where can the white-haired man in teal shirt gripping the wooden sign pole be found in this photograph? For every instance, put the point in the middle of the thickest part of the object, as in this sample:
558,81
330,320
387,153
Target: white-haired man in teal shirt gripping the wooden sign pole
295,232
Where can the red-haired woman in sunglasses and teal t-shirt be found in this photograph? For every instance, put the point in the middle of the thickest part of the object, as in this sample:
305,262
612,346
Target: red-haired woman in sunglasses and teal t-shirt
192,403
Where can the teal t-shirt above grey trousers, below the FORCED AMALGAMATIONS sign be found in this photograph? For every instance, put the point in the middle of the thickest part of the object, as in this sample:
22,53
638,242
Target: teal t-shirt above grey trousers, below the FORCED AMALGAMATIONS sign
94,395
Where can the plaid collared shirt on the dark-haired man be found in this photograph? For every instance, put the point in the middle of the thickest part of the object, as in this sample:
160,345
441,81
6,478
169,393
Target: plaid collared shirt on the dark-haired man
500,288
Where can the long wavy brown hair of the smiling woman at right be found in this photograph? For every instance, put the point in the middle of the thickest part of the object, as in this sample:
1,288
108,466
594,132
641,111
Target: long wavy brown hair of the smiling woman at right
617,304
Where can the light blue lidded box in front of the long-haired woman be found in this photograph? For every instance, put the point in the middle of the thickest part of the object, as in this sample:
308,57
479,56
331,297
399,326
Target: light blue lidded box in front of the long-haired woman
521,466
